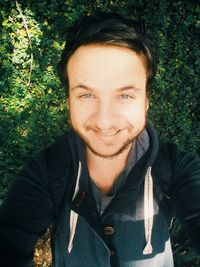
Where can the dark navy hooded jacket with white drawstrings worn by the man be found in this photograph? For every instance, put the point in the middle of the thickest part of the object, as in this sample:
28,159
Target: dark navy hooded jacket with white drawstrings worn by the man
54,189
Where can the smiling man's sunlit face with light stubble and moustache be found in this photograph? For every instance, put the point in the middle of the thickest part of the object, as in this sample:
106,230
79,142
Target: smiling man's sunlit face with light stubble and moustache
107,97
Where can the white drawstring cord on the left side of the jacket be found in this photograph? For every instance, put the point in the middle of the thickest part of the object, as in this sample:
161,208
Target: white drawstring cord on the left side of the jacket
73,214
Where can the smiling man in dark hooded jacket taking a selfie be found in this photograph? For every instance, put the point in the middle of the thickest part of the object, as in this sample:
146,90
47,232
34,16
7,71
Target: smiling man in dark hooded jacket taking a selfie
108,187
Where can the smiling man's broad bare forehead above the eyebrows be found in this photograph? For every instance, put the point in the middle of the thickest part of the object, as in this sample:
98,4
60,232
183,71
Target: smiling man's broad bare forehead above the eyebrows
103,65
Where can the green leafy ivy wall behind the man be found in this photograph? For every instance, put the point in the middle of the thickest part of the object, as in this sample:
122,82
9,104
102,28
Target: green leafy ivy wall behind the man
32,102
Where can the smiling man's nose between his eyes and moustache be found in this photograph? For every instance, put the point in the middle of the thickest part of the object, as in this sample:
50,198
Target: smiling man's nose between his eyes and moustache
105,117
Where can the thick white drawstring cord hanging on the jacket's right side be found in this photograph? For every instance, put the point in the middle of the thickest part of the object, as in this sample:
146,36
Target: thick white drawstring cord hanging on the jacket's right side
148,211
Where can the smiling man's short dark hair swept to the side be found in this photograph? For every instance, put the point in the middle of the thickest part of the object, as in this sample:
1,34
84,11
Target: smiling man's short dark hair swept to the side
109,29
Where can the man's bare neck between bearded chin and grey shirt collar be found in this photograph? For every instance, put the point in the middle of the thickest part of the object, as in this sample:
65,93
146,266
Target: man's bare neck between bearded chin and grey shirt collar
104,171
